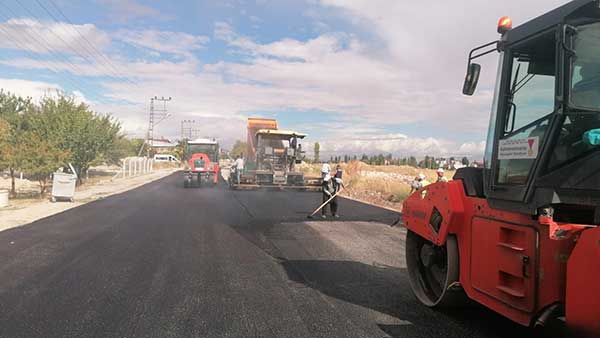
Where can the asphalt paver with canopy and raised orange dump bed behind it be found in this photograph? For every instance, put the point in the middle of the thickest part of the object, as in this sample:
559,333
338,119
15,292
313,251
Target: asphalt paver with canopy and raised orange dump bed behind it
271,158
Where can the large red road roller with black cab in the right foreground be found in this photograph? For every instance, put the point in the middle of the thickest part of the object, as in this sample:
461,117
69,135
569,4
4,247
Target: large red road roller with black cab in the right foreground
521,235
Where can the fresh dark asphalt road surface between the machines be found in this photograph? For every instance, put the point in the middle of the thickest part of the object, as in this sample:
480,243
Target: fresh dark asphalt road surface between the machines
164,261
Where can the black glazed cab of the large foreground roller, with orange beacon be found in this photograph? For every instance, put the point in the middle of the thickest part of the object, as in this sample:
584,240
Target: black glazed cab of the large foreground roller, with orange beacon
543,142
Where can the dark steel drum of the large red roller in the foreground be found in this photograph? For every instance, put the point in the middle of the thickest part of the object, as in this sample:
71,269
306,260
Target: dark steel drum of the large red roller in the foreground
433,271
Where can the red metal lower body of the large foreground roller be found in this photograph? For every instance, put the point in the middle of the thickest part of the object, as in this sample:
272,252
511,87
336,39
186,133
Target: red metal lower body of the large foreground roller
508,261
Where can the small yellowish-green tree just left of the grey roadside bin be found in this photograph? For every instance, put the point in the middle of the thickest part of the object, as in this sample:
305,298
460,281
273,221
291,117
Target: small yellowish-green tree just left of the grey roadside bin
43,158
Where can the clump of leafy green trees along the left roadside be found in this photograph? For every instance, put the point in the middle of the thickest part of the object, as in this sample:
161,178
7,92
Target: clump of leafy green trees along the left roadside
37,138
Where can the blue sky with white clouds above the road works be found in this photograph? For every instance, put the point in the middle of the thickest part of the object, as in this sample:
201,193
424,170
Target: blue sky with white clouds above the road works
358,76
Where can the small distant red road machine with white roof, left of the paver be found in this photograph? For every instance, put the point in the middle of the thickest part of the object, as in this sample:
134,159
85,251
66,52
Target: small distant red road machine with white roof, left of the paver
201,164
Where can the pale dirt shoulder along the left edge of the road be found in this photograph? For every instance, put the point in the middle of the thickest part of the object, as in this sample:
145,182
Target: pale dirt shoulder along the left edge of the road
21,212
